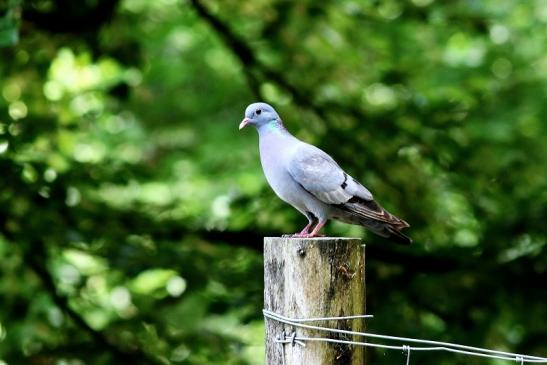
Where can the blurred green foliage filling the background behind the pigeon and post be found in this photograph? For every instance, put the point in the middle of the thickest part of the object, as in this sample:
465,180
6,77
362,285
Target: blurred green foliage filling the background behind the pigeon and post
132,210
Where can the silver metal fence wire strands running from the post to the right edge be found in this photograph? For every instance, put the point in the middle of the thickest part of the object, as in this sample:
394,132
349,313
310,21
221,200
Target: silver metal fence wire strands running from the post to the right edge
433,345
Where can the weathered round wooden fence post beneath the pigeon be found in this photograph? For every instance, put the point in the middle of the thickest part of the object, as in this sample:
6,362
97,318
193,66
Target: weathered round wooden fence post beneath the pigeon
314,277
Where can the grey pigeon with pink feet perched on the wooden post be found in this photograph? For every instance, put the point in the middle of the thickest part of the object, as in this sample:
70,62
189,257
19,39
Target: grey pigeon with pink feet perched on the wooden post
312,182
